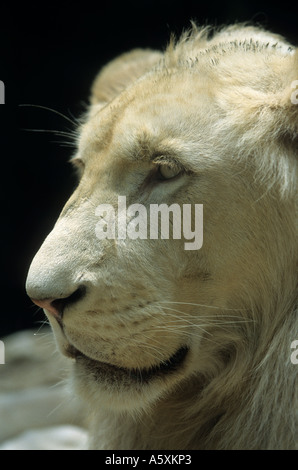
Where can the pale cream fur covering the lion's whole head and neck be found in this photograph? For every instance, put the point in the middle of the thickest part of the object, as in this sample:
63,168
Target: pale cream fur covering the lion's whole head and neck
221,104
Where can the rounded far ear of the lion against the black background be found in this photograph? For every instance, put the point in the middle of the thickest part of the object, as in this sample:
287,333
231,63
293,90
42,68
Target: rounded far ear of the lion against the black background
121,72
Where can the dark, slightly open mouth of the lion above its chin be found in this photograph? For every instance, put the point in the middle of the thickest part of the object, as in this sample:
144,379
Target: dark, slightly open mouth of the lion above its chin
137,375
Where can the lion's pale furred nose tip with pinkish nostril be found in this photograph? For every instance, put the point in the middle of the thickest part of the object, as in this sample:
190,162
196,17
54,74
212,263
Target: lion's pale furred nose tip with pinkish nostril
57,277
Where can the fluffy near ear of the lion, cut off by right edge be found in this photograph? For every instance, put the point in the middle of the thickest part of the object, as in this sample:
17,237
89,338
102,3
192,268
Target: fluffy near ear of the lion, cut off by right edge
266,106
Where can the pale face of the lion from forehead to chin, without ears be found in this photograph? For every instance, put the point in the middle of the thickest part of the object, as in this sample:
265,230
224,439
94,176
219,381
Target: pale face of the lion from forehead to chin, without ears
140,315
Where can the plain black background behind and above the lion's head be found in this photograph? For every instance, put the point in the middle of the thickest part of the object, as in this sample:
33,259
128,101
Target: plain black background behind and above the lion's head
49,55
